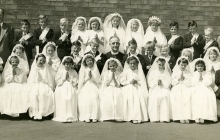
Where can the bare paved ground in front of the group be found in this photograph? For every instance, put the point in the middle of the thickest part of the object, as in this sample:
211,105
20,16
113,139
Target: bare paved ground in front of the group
50,130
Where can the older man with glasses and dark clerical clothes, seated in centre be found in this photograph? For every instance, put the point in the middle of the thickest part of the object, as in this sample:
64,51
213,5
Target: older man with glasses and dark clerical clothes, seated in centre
114,43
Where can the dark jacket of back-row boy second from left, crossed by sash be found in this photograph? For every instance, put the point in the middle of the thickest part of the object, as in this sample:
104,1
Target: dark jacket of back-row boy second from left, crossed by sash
37,42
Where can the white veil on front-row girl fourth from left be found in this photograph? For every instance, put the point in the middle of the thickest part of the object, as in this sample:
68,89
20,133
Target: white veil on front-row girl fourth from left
82,71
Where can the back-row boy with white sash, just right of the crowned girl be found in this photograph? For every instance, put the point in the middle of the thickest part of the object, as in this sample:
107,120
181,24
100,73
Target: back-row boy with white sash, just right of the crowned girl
174,40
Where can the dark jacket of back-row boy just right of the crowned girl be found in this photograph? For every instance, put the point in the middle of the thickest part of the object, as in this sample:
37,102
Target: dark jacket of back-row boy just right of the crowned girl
178,46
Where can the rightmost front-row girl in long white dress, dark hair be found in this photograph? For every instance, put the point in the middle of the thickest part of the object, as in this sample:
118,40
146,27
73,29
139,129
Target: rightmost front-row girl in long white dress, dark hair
203,98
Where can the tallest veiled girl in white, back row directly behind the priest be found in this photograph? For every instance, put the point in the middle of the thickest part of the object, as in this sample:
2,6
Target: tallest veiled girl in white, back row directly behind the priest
114,25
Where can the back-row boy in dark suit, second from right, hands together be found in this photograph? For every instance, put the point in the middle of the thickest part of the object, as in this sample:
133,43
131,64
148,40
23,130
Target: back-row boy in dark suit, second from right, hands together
193,39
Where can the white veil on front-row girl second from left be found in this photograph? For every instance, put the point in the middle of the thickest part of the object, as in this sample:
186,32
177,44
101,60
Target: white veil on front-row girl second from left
46,73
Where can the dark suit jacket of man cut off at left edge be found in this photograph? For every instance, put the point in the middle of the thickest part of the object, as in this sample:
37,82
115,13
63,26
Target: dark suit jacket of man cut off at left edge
6,39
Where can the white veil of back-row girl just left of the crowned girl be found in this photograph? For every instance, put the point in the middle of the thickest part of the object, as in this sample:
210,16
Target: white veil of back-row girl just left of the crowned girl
138,35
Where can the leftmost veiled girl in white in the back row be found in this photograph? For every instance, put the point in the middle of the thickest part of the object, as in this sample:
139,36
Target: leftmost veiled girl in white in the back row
79,32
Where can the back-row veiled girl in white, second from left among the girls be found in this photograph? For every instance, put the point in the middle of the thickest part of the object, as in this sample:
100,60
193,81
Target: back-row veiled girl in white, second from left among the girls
95,30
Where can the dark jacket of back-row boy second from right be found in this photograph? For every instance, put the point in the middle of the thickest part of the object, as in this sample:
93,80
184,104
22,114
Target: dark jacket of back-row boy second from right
198,48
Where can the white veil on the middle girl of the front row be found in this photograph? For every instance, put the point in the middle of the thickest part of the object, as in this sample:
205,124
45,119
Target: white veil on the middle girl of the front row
105,69
